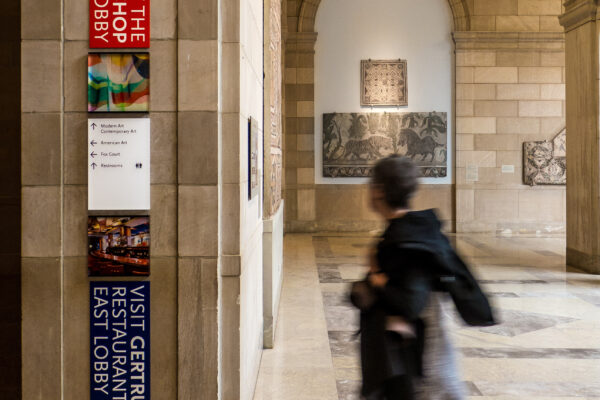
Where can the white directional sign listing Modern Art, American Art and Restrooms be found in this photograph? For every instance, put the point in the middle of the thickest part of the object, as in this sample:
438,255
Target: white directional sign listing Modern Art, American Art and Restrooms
119,164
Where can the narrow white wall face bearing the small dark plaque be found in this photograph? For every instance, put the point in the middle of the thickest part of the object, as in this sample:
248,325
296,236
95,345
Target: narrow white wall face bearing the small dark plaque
251,232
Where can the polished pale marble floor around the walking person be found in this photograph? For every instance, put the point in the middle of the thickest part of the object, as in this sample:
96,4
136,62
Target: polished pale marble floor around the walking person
546,348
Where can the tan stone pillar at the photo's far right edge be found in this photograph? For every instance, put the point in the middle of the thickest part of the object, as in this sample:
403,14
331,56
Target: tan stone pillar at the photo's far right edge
583,158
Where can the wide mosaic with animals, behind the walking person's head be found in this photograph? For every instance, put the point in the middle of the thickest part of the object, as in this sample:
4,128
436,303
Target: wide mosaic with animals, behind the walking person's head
354,142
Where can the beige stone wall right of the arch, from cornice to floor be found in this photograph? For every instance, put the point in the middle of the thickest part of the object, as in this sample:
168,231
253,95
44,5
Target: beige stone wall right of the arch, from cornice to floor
509,89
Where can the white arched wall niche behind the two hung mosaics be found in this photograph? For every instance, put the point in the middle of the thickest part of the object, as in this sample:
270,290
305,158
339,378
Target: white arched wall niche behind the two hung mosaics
349,31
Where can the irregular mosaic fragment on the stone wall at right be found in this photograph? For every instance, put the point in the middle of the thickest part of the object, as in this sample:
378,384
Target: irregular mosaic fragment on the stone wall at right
545,162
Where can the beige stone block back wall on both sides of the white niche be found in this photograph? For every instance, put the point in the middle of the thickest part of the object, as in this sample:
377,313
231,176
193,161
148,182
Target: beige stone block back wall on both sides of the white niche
509,88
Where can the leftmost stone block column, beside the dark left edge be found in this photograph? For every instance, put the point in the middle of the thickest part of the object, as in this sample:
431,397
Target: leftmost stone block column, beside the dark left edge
42,190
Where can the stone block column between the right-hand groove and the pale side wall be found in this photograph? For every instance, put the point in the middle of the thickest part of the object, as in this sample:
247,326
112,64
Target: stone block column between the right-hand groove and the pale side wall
199,123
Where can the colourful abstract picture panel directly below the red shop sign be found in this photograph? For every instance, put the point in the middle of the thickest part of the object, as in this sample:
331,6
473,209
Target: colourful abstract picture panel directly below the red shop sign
118,82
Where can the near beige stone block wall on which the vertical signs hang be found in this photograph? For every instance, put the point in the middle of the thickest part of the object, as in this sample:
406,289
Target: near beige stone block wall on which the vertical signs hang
198,179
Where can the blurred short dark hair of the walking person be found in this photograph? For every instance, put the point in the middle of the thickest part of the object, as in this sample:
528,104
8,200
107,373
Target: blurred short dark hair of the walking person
398,177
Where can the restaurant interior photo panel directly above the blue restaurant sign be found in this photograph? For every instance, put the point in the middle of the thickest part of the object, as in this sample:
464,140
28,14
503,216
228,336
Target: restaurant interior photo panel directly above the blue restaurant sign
119,245
